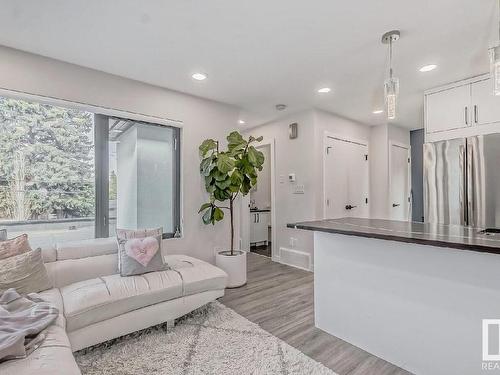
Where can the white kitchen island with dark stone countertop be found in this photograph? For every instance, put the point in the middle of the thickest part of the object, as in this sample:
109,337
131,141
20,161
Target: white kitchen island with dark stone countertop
413,294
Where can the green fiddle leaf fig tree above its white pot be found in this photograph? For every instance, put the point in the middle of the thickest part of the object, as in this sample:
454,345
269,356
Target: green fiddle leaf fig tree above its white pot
228,174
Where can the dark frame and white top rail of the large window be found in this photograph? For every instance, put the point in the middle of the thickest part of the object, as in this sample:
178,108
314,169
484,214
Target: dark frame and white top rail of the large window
101,156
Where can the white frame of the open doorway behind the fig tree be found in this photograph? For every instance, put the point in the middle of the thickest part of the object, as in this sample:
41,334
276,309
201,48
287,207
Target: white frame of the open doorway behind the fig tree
271,142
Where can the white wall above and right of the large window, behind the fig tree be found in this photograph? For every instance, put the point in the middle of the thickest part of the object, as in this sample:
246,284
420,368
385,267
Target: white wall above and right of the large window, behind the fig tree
201,118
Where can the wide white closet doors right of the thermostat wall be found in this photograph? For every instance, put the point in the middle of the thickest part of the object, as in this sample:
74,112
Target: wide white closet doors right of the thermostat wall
346,179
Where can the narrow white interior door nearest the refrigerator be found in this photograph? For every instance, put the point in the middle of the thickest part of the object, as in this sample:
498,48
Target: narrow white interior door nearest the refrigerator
400,182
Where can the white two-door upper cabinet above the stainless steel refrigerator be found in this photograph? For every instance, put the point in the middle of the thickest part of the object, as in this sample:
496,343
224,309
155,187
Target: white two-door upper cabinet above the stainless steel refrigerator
462,109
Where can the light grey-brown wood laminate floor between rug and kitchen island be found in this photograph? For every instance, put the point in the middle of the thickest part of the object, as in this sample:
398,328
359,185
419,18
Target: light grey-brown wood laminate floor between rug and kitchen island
280,299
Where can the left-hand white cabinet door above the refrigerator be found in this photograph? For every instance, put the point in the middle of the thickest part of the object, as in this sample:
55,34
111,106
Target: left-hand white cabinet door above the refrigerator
448,109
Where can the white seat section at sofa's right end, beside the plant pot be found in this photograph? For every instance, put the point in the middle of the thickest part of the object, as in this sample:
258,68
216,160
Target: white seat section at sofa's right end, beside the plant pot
198,276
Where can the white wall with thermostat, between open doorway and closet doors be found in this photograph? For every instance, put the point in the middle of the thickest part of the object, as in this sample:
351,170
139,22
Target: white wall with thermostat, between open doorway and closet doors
304,157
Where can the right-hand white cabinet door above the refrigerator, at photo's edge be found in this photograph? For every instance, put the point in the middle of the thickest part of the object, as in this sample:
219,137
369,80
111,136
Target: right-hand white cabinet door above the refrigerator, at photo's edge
486,106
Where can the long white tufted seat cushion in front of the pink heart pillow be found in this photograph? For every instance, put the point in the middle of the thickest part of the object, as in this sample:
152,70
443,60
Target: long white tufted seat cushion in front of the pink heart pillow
95,300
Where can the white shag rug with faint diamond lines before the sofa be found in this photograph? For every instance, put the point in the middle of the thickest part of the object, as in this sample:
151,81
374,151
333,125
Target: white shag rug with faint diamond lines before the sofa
211,340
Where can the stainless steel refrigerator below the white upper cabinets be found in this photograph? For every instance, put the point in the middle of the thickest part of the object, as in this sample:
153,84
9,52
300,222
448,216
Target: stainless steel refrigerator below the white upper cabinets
462,181
